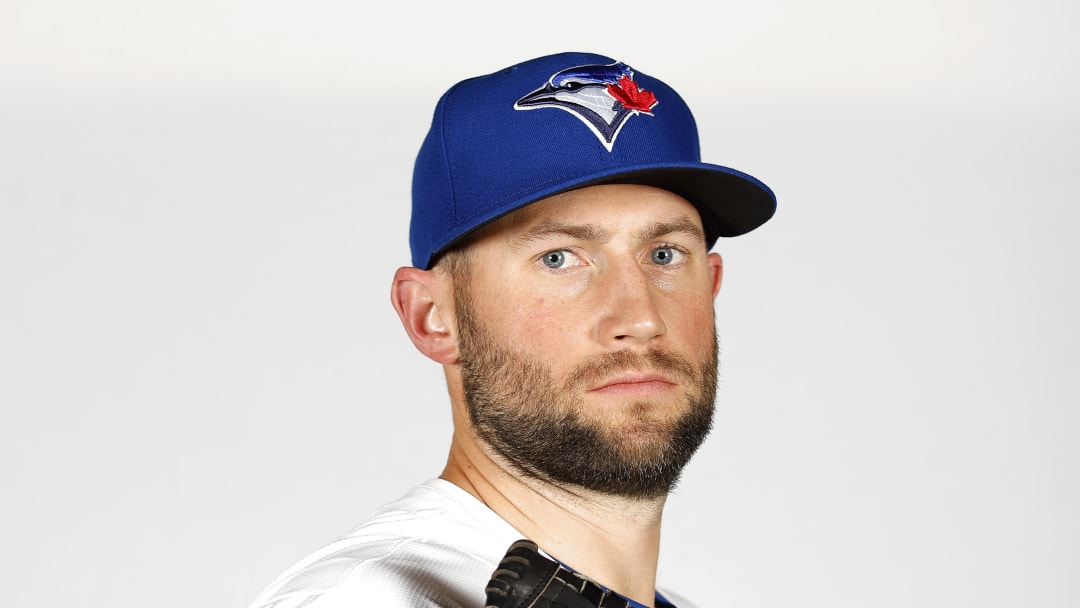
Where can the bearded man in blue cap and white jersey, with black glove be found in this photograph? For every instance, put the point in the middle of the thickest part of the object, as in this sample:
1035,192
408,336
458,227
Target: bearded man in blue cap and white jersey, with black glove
561,228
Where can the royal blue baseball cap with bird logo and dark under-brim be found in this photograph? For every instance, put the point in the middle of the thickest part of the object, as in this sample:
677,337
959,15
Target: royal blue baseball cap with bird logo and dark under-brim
548,126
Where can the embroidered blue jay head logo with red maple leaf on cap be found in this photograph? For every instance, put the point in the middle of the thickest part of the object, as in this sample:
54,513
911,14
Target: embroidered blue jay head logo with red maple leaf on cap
604,98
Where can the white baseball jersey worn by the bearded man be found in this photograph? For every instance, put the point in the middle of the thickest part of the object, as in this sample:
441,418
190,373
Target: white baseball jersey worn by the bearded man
437,547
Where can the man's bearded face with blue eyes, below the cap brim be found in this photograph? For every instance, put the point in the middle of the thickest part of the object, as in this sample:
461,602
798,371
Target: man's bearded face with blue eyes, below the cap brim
587,342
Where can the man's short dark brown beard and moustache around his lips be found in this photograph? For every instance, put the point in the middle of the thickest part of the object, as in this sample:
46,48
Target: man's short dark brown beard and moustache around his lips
542,429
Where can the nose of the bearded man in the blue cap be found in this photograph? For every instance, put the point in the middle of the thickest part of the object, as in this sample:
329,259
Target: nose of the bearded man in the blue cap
630,306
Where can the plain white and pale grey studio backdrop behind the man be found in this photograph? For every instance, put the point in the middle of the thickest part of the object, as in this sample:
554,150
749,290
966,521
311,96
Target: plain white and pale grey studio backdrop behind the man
202,205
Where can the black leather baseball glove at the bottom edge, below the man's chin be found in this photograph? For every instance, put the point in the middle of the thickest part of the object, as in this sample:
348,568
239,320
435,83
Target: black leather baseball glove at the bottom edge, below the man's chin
525,579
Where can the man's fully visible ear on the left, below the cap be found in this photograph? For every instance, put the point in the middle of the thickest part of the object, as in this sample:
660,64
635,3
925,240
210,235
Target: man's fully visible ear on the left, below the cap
424,303
